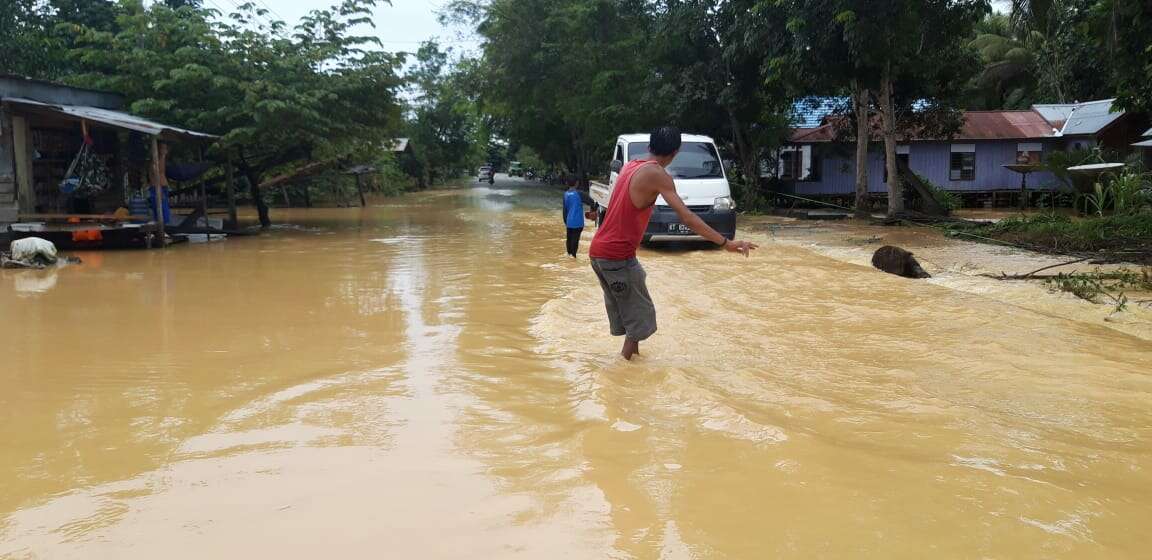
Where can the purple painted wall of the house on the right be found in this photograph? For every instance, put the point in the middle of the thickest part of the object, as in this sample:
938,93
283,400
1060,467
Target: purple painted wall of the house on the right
931,161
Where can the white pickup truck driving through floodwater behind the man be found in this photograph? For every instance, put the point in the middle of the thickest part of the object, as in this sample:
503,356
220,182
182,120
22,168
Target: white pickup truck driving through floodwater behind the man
701,181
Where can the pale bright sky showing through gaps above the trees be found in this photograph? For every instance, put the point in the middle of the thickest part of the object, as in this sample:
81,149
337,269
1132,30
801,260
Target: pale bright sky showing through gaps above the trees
400,27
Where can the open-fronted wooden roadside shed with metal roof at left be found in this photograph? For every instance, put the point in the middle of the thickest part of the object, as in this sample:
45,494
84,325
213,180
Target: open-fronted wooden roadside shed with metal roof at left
70,155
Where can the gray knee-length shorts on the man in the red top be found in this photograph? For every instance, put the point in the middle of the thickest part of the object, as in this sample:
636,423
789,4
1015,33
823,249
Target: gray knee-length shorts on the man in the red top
626,298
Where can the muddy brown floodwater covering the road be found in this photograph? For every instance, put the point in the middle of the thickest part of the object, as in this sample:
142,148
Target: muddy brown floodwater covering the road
433,379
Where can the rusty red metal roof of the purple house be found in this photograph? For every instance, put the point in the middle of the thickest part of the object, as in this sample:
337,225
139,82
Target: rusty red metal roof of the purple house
979,125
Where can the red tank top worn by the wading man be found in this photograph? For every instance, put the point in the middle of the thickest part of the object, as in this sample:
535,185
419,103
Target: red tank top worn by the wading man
624,224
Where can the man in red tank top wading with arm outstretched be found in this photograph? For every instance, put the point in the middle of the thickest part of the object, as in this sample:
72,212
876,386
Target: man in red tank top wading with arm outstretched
613,252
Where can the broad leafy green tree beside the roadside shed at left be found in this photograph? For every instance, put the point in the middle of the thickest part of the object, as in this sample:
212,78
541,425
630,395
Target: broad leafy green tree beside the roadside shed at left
278,102
